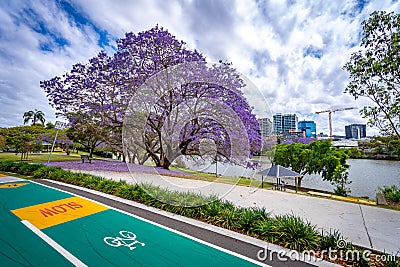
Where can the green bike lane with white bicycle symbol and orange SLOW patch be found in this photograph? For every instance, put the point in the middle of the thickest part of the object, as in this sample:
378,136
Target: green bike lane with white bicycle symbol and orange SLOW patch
44,226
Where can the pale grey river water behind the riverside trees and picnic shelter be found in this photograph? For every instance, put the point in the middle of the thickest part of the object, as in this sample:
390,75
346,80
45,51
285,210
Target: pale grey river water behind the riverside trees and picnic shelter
366,176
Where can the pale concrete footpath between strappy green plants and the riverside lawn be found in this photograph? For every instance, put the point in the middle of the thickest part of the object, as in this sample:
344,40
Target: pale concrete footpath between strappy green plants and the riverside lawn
367,226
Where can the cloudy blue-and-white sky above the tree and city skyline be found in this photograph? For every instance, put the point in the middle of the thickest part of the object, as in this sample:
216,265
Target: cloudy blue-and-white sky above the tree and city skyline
293,51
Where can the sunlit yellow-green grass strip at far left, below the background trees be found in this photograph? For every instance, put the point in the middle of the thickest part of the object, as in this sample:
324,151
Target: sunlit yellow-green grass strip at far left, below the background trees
42,157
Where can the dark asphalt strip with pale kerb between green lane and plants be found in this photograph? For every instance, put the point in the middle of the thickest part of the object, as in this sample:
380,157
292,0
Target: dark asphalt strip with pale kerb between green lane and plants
240,244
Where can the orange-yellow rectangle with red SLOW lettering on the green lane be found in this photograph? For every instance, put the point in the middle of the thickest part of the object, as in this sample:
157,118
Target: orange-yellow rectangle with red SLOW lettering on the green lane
57,212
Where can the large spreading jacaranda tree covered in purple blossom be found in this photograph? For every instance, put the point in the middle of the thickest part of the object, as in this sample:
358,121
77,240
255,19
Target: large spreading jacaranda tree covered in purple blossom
108,87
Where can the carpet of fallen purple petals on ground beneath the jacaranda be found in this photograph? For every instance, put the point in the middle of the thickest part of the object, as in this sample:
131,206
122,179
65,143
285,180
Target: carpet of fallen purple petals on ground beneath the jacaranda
116,166
